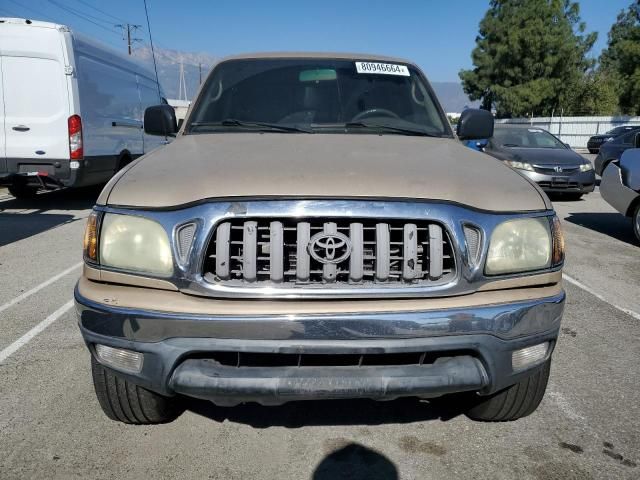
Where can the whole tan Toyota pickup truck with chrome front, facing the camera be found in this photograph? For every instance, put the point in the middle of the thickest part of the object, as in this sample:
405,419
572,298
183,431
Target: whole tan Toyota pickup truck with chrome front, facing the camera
317,231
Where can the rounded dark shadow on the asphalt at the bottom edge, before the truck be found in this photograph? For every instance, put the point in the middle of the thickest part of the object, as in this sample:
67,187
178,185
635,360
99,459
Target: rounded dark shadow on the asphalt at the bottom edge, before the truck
355,462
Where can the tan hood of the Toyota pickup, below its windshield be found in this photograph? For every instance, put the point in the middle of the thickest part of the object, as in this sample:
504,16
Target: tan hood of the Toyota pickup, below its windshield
226,165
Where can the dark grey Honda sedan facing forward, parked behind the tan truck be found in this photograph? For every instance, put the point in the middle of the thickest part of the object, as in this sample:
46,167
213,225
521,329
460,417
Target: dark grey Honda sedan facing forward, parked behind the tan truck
544,159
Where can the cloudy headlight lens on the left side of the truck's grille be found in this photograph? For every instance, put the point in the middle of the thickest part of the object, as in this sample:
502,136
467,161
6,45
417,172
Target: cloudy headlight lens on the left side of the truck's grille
135,243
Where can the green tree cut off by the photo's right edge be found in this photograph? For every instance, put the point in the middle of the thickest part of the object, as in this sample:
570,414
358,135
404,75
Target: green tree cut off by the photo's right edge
621,59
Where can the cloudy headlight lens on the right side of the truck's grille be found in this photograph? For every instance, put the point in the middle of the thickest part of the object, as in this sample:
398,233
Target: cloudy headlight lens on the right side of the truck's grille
519,245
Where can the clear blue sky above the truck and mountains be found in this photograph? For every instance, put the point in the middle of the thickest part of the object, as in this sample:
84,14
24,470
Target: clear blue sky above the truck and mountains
437,34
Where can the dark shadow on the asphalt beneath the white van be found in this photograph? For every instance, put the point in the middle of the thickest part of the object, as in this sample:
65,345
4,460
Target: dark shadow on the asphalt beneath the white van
15,224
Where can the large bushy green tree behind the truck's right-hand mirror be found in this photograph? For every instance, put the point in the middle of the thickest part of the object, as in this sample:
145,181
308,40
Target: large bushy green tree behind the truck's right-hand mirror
528,55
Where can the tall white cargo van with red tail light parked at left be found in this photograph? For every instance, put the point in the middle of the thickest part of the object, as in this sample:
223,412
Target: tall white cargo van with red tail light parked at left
71,109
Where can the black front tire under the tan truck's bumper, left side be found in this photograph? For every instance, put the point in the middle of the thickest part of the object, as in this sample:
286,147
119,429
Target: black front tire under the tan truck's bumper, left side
126,402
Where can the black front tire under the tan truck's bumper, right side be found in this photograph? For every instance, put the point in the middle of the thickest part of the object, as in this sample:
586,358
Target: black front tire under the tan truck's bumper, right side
514,402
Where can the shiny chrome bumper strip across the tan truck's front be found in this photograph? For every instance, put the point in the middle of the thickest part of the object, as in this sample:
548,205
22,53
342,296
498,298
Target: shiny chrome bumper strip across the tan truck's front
505,321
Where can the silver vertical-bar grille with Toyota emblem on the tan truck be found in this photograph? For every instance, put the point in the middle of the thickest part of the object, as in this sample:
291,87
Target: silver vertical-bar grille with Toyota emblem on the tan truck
335,251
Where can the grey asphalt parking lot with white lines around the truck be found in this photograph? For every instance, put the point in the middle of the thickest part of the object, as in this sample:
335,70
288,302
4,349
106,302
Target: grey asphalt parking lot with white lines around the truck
51,426
